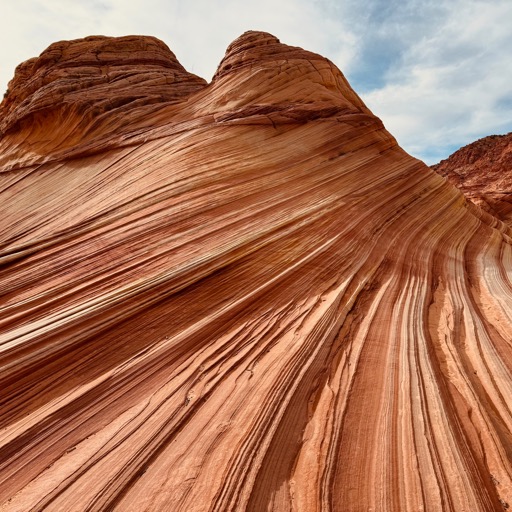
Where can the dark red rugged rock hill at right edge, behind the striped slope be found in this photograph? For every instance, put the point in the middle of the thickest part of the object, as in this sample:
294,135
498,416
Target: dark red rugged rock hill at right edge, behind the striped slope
483,172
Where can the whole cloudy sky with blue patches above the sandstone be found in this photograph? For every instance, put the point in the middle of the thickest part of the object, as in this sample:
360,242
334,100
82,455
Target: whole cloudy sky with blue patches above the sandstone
437,72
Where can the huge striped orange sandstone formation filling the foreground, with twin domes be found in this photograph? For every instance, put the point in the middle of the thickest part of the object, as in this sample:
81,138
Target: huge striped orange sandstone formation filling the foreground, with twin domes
242,296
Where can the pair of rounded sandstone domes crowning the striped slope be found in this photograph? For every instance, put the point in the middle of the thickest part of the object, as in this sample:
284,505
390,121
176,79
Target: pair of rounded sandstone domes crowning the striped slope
100,88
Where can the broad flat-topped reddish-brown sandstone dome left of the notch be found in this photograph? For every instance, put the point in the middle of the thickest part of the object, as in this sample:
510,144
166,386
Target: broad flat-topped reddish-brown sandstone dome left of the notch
79,89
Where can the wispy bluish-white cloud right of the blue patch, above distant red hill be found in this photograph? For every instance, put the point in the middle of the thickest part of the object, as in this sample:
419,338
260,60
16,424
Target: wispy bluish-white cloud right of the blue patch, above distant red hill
446,90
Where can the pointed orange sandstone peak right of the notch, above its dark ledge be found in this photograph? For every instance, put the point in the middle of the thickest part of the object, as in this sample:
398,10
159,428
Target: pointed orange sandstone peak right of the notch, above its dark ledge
262,74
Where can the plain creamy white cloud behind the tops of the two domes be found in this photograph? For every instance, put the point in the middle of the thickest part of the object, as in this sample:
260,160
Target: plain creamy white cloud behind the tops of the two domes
197,31
